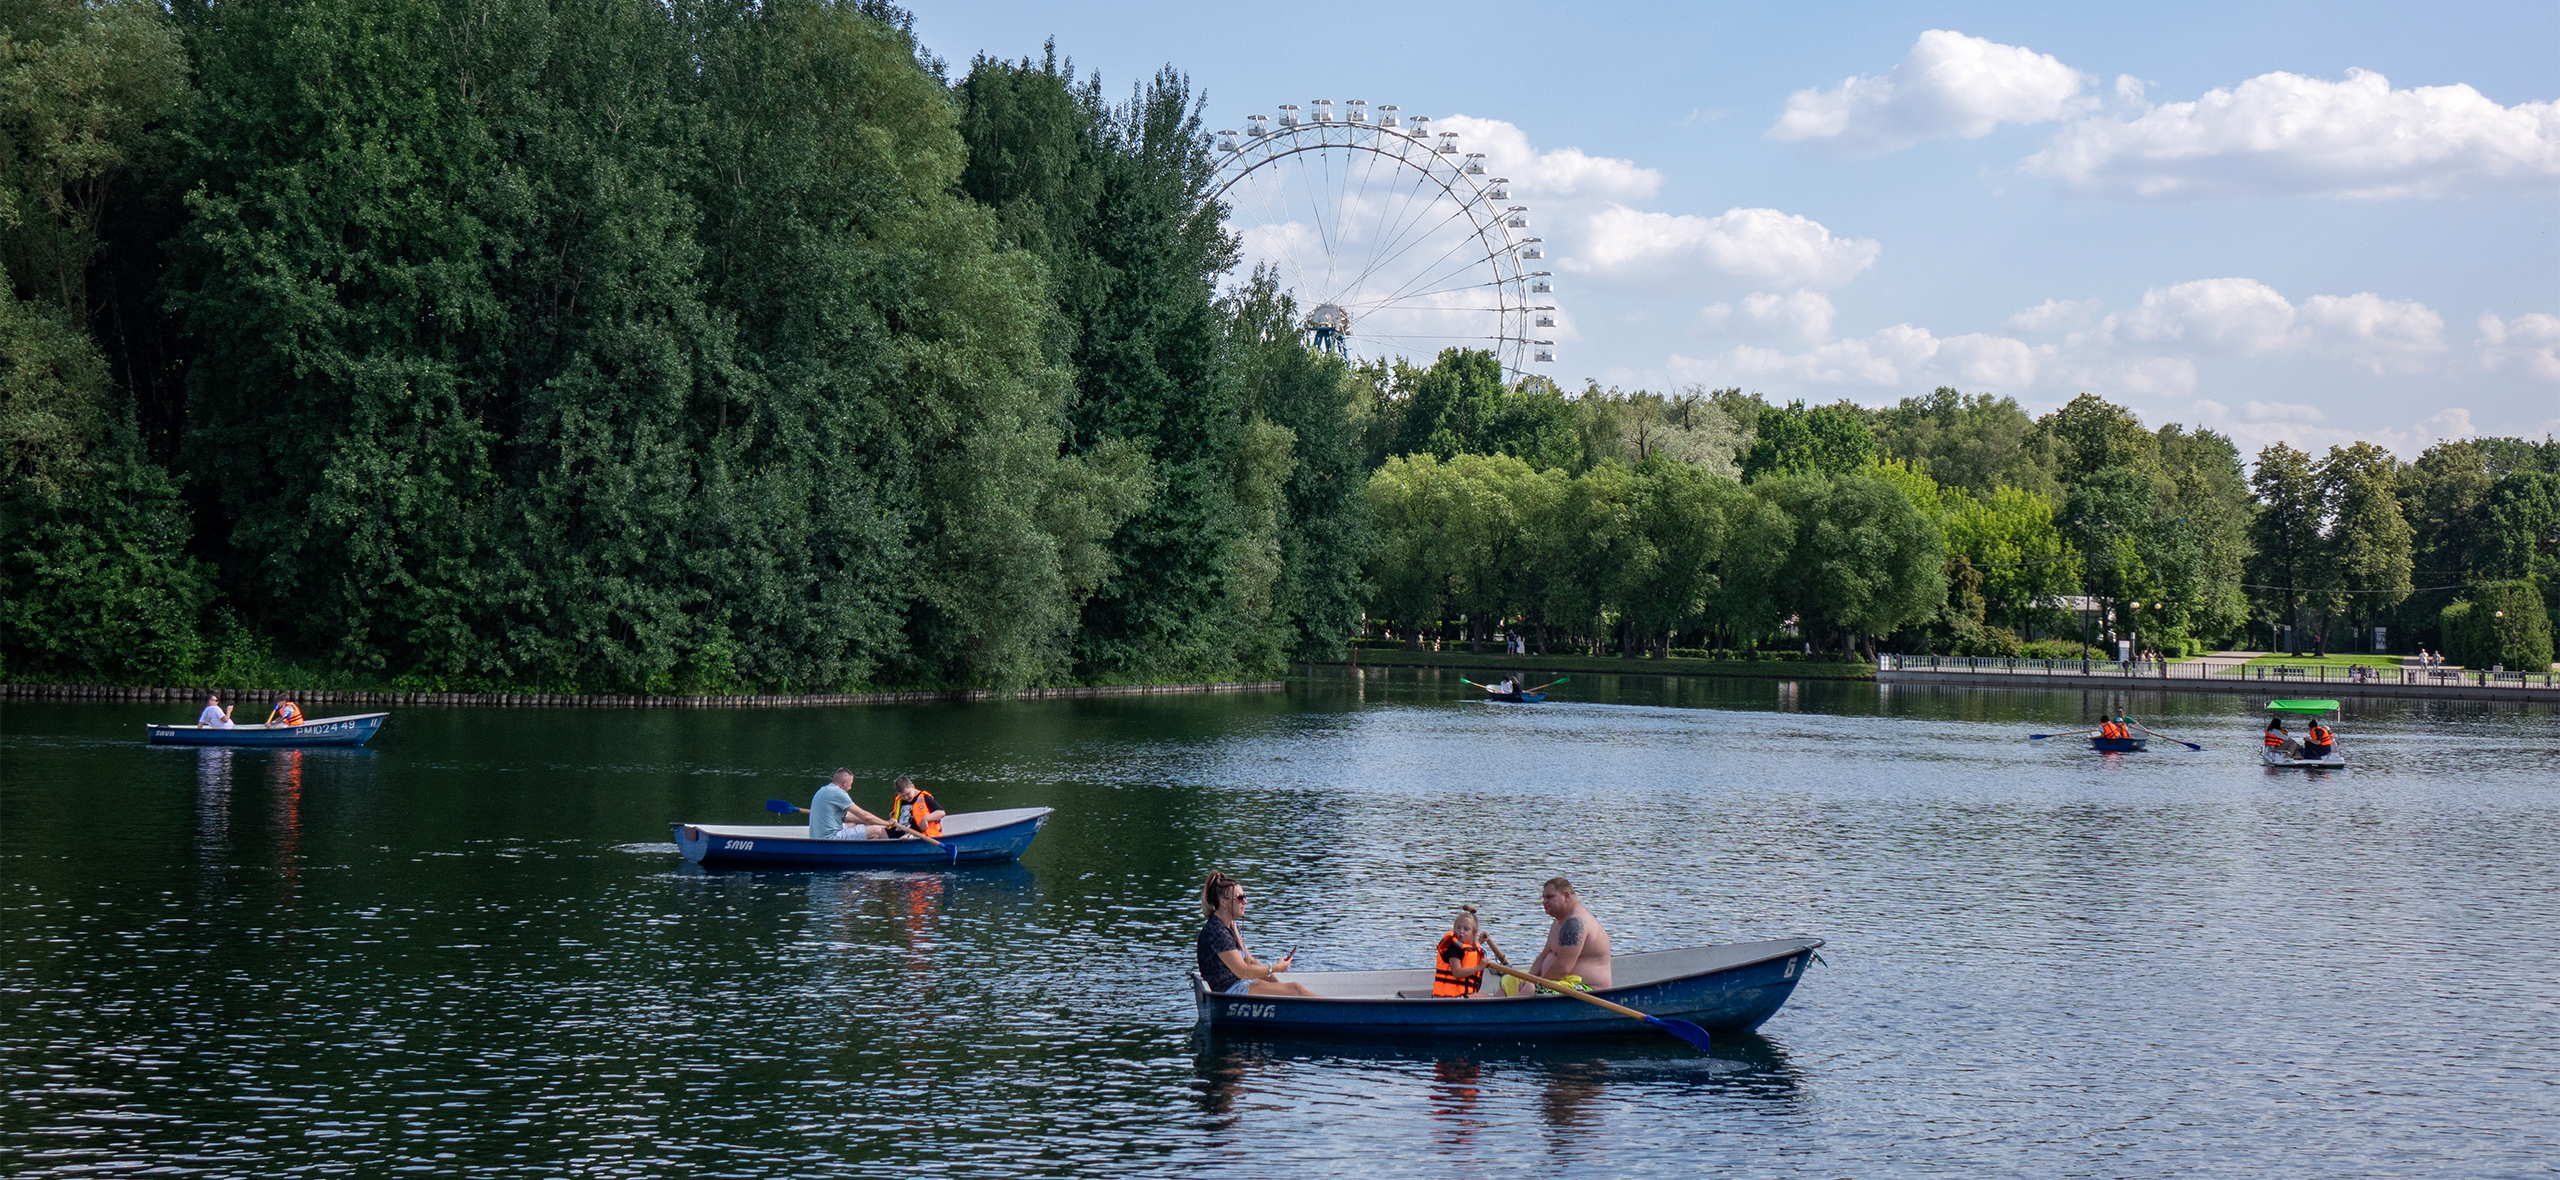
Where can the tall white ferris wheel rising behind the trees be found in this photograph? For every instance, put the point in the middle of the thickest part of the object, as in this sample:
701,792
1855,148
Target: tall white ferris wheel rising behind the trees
1389,234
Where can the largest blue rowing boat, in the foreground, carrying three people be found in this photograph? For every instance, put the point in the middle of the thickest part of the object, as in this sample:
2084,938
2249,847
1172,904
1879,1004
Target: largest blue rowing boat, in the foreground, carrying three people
1724,989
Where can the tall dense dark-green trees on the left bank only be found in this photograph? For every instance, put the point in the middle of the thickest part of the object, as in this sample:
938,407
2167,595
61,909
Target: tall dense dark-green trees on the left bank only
636,347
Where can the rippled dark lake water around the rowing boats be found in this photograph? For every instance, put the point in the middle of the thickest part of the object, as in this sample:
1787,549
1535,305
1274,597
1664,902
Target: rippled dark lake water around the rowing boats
470,951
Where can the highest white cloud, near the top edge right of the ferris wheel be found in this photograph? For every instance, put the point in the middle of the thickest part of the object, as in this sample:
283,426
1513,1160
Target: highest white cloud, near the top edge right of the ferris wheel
1947,86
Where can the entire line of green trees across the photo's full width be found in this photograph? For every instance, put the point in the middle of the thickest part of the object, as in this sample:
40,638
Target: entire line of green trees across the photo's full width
618,347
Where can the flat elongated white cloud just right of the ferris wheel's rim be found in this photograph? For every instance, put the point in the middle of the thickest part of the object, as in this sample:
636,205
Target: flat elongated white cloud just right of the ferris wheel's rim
1757,247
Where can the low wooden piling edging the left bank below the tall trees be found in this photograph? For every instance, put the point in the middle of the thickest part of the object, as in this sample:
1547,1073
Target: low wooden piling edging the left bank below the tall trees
311,700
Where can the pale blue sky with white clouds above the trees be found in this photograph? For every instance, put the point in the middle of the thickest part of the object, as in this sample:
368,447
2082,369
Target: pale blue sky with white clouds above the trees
2308,224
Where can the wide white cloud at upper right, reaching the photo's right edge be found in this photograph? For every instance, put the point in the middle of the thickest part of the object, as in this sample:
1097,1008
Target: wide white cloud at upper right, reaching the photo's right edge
2287,134
